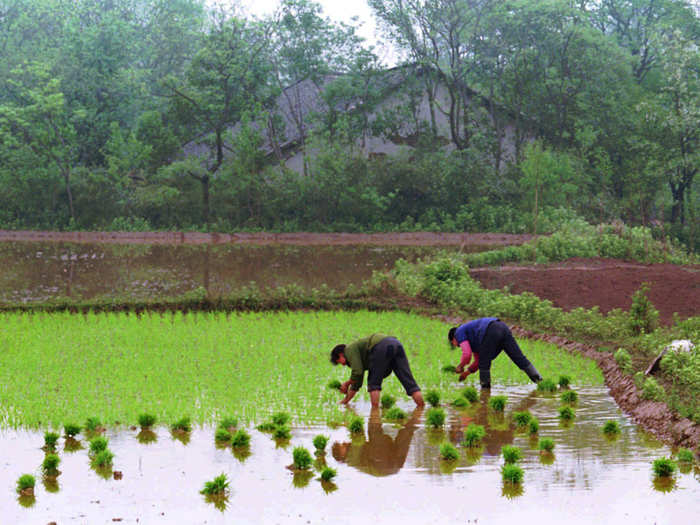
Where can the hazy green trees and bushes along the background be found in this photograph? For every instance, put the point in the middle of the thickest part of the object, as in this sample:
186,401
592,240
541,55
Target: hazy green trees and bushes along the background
119,114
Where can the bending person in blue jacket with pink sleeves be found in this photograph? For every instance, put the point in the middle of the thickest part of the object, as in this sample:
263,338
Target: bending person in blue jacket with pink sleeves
483,339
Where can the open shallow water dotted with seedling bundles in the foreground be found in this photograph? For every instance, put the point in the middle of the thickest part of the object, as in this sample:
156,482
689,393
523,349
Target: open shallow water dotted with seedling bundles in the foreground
389,474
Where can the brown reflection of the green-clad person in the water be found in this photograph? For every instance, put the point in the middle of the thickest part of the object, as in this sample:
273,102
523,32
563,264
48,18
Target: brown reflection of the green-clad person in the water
380,454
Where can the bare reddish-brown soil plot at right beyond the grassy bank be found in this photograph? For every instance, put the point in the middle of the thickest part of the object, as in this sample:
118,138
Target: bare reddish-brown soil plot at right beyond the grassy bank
606,283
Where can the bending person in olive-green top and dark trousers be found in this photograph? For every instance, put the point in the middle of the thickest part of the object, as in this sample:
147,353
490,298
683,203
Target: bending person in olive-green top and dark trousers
381,355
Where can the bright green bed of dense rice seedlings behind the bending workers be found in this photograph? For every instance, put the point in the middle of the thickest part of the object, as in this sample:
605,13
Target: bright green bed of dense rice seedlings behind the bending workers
59,367
